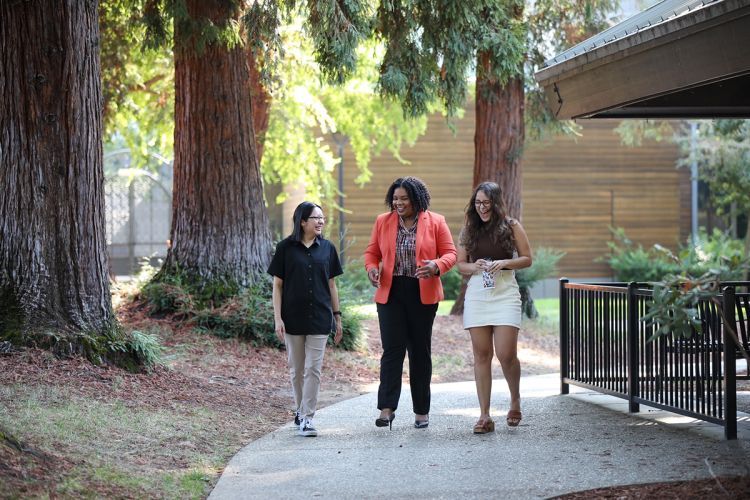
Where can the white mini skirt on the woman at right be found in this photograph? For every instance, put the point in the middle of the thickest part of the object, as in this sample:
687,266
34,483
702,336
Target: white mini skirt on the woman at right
497,306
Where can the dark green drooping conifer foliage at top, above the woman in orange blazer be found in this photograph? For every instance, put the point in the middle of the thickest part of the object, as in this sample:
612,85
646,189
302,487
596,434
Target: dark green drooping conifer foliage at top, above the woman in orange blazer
431,49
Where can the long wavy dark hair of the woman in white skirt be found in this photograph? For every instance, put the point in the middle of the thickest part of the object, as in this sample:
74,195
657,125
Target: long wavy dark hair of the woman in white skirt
498,227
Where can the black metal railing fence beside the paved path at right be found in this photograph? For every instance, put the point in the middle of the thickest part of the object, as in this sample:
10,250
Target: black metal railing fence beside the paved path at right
605,346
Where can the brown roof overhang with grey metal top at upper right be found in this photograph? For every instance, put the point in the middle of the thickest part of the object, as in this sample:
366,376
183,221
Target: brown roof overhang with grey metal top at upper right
678,59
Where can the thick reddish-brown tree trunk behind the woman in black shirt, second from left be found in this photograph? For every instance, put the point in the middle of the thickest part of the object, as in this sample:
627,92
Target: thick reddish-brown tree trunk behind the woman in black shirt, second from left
219,220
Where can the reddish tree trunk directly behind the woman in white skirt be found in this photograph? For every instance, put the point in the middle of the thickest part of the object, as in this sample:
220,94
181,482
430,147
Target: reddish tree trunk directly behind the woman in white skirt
498,142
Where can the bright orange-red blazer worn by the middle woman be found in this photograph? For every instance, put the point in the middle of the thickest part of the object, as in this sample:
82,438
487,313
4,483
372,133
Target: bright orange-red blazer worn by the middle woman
434,242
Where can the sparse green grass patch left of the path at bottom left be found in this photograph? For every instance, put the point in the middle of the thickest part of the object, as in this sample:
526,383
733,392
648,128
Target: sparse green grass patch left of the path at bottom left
112,436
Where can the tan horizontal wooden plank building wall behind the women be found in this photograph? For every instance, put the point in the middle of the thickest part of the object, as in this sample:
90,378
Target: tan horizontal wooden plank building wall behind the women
574,189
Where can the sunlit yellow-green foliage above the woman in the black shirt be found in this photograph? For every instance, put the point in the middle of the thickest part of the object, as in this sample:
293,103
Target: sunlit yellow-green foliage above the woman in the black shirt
306,114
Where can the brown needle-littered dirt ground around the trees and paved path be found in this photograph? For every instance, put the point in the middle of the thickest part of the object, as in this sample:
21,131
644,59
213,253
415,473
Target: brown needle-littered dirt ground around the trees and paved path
248,388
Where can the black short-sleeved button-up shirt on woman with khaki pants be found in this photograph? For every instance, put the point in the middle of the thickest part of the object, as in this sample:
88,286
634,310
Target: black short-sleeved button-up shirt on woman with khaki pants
306,297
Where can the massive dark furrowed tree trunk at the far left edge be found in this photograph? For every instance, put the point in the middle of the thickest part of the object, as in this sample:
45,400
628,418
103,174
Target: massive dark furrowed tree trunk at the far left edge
53,258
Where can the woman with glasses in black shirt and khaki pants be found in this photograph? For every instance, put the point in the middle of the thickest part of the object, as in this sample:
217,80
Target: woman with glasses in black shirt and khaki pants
306,306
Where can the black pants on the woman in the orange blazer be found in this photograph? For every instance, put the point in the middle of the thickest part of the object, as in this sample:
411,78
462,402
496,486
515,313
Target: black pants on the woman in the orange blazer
405,326
